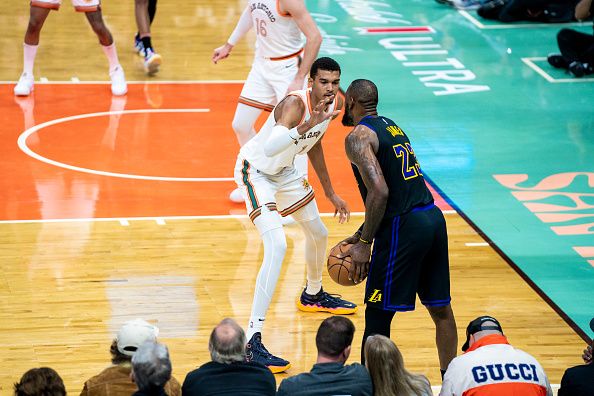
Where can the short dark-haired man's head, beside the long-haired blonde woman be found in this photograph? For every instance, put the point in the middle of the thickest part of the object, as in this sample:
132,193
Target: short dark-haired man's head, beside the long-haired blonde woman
335,337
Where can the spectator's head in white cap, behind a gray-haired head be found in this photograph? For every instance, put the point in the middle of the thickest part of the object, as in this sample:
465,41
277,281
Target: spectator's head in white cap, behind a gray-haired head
131,336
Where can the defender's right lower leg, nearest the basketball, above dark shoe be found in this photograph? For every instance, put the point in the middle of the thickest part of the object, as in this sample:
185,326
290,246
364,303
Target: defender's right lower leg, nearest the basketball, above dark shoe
316,240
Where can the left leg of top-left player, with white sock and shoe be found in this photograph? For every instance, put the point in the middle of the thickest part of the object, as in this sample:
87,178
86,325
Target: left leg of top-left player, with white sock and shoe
37,18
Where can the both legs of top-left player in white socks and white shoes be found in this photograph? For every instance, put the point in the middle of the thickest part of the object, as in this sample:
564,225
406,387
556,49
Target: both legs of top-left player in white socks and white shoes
40,9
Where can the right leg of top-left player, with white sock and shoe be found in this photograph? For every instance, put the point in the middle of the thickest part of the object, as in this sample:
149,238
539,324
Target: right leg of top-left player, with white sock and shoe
116,73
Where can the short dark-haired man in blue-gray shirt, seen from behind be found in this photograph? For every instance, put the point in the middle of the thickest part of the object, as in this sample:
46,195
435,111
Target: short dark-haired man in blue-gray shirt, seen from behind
330,375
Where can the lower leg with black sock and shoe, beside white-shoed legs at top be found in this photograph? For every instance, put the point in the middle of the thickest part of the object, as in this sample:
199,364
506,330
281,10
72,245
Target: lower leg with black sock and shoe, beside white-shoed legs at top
142,9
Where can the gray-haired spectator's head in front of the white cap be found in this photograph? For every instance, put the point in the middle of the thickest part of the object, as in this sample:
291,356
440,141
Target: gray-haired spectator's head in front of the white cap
151,367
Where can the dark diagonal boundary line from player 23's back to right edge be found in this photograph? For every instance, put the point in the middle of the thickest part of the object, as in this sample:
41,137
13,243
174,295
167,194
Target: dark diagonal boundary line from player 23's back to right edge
578,330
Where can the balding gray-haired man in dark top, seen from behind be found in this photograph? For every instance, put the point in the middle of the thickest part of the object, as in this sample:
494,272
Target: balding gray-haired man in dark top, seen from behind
228,373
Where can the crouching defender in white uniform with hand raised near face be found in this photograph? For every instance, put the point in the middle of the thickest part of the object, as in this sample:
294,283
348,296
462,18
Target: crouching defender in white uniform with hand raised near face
272,187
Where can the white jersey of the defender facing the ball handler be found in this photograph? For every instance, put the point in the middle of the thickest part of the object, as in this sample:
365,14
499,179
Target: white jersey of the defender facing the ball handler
253,150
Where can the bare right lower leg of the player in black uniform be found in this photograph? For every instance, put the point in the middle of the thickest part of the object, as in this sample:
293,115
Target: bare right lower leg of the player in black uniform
446,335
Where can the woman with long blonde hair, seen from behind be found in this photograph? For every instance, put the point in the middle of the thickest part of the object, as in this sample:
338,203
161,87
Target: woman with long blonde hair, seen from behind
386,368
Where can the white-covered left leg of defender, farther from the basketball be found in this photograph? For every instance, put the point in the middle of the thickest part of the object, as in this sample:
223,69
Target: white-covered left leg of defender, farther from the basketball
275,246
